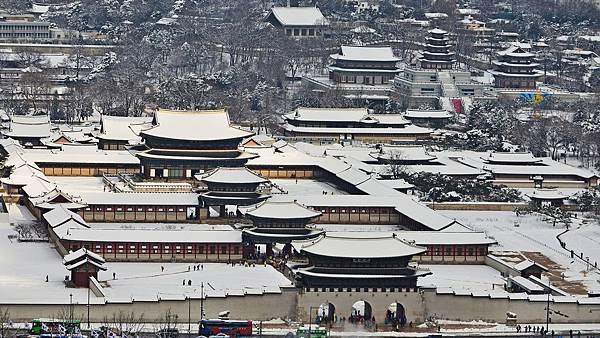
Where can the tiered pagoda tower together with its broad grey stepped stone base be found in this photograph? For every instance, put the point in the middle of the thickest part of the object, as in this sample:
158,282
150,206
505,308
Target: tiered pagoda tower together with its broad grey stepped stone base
435,81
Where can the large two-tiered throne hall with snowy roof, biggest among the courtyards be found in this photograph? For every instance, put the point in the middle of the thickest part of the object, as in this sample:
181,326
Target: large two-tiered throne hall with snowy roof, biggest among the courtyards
181,144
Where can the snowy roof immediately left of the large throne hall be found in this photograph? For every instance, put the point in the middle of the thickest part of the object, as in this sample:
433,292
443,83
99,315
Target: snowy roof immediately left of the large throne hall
122,128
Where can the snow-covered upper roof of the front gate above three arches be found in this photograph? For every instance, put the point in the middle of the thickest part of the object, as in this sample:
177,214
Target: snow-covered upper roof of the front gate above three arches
358,247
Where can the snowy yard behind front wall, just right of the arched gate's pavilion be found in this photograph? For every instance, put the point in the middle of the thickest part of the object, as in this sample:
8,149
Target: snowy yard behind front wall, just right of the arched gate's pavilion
466,277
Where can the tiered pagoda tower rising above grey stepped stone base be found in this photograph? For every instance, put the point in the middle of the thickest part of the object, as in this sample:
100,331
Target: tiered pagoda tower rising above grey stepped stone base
437,54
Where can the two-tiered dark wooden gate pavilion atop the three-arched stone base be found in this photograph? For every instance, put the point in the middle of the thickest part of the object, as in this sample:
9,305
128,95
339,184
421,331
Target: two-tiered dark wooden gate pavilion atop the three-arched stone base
347,263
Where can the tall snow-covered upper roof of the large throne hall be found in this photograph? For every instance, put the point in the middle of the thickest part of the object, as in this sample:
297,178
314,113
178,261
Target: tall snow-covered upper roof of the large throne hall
208,125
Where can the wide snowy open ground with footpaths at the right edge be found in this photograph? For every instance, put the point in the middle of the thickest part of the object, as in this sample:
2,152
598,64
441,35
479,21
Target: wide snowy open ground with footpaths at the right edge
533,234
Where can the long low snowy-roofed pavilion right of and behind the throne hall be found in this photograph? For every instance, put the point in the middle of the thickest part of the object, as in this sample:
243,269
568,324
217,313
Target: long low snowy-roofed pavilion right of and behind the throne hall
340,125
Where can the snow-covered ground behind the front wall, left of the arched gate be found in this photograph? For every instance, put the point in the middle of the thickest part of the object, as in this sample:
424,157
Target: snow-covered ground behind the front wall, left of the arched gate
24,267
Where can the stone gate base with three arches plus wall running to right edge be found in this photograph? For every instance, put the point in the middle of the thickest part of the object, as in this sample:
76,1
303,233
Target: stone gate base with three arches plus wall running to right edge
427,303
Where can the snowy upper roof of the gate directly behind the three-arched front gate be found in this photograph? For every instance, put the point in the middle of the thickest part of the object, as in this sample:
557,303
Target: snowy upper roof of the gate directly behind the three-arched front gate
282,210
